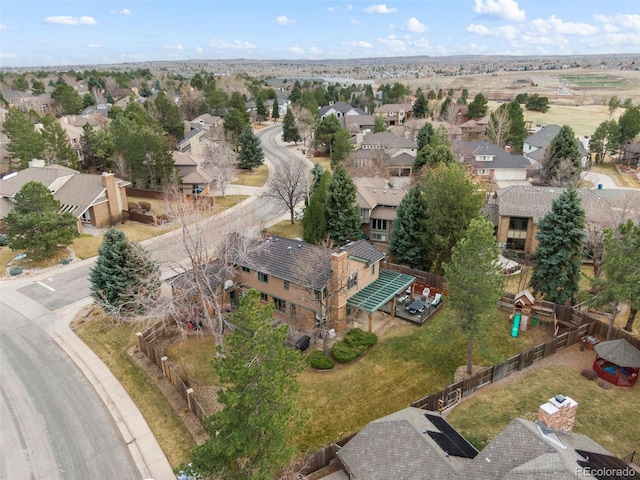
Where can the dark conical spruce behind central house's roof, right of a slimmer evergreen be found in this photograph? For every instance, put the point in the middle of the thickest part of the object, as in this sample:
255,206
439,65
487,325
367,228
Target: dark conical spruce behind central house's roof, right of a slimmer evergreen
343,215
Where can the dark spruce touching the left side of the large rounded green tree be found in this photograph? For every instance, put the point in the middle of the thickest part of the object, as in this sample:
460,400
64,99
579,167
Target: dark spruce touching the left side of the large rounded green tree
408,230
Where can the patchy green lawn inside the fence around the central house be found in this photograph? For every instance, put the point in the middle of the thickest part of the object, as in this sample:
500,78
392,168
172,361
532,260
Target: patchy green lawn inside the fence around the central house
407,363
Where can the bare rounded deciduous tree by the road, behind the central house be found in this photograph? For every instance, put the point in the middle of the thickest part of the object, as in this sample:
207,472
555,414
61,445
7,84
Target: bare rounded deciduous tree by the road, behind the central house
288,185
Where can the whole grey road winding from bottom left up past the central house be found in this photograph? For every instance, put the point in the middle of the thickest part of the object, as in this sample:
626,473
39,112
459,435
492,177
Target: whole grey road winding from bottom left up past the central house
53,424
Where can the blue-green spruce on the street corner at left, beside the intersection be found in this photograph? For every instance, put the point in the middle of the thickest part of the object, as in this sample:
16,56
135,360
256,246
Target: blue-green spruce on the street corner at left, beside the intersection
124,279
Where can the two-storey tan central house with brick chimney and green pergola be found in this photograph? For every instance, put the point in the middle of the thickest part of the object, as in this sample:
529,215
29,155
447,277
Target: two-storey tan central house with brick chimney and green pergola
309,283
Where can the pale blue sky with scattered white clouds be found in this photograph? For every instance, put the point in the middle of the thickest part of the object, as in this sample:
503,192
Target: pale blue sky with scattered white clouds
72,32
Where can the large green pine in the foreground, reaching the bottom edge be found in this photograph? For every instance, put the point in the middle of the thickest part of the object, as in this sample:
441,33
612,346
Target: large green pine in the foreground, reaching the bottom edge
253,435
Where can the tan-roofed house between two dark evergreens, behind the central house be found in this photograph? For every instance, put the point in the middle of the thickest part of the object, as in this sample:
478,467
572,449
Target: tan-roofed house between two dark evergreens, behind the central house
378,203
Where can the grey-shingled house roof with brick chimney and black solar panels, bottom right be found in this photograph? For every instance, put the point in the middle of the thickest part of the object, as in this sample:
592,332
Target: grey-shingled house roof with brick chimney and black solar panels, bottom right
417,444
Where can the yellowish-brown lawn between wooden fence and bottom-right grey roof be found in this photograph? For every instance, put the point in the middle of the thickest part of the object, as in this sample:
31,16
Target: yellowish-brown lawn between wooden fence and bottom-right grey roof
607,416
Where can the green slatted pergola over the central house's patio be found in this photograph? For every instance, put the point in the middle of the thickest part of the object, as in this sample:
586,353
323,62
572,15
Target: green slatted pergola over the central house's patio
379,292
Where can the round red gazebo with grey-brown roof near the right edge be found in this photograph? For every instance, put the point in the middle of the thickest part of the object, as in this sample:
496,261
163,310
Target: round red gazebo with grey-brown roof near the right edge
617,362
